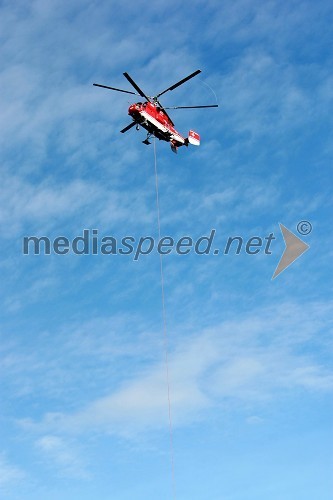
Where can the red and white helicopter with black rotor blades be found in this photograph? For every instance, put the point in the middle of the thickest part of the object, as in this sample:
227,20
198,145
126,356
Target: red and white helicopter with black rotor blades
153,117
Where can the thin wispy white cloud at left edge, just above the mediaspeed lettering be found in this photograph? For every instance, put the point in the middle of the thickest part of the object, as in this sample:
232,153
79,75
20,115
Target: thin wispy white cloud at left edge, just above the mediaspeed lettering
75,204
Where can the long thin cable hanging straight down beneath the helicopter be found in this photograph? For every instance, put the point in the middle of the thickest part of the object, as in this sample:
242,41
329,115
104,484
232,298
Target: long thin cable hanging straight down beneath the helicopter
165,334
